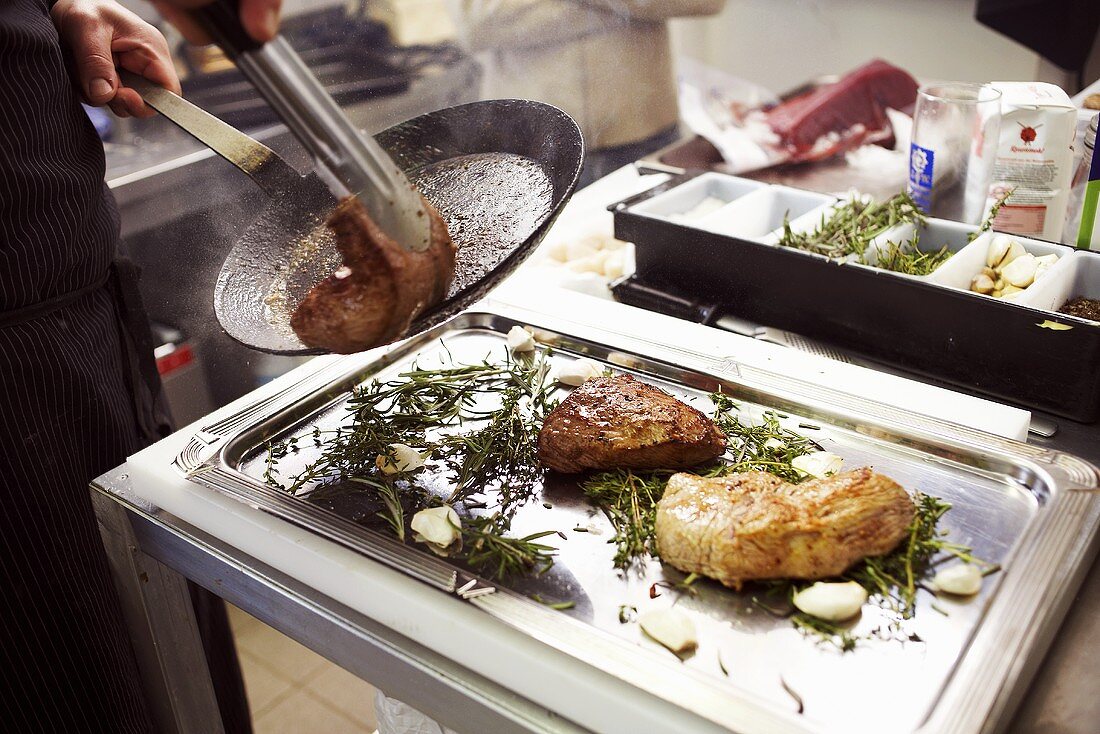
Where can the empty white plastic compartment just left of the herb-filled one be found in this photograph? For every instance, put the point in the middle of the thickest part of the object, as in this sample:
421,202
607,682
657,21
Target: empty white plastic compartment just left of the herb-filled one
755,215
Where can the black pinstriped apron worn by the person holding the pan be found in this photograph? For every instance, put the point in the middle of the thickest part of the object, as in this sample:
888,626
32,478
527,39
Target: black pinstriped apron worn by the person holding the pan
70,330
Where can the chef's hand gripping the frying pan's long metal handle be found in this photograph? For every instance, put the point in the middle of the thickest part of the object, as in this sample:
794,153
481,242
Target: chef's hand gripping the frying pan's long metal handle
102,35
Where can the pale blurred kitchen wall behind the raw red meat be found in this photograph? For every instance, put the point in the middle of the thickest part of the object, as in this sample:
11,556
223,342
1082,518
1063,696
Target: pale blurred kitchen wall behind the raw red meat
783,43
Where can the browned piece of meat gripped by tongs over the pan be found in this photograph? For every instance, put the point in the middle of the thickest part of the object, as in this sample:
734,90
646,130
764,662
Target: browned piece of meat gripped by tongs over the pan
382,288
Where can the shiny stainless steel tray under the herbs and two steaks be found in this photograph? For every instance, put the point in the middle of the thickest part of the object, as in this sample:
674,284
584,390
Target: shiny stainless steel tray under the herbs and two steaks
1031,510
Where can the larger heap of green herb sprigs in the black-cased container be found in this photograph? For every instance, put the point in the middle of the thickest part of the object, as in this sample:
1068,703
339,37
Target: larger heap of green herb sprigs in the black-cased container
849,228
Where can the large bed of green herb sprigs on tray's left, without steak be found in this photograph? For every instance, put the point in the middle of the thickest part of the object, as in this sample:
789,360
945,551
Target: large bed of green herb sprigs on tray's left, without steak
485,451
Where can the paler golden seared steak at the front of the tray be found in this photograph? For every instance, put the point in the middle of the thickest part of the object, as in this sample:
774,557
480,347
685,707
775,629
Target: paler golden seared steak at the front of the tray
756,527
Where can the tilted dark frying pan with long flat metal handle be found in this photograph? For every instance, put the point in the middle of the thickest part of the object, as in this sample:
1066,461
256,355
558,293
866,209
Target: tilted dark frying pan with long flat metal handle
499,172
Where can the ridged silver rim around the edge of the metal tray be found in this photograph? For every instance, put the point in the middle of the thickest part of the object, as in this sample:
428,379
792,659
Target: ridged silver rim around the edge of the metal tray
1010,659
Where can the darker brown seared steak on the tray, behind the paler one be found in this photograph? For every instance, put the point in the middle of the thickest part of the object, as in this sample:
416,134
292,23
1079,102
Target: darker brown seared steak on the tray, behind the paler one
620,422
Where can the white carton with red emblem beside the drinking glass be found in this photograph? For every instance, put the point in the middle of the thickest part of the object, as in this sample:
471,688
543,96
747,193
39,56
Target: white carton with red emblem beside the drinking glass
1035,159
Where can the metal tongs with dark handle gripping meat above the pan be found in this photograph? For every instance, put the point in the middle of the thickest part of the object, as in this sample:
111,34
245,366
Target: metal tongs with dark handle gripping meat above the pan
347,161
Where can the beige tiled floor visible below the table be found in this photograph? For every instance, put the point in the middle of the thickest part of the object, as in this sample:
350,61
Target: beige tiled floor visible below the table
293,689
